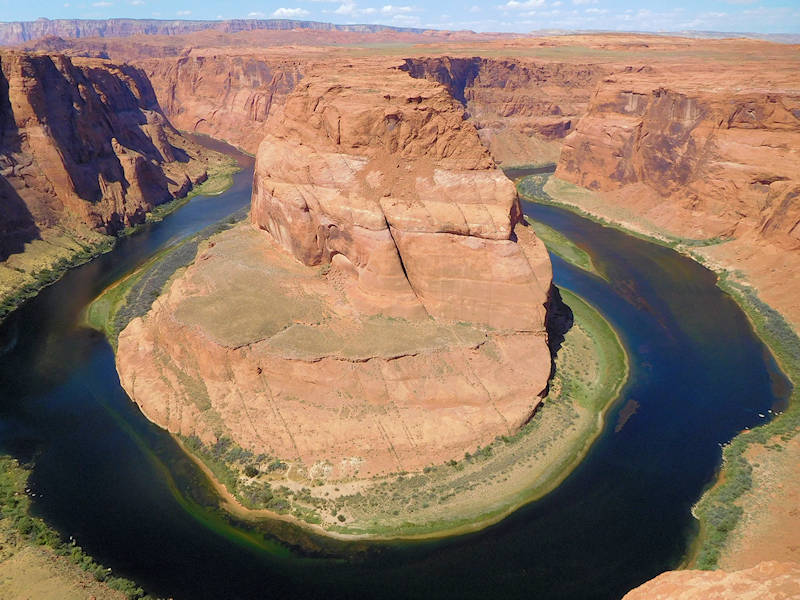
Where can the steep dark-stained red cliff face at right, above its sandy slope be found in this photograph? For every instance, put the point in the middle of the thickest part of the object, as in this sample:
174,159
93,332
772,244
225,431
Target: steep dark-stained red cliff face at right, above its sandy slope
724,160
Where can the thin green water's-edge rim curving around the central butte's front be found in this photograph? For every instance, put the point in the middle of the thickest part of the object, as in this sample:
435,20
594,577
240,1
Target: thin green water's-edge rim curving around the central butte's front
555,472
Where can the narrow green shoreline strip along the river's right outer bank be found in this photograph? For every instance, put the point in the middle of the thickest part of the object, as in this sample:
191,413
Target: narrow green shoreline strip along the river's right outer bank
710,540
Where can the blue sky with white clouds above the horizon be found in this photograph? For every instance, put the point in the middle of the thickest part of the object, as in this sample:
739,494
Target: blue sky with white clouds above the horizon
762,16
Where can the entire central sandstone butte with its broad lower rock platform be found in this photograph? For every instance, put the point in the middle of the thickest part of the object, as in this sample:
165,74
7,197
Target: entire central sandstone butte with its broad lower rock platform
384,311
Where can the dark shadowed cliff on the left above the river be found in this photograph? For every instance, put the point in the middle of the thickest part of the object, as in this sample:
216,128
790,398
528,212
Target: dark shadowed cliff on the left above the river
83,142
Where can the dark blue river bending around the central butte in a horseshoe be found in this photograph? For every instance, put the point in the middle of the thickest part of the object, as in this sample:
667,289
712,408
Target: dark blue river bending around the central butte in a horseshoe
117,483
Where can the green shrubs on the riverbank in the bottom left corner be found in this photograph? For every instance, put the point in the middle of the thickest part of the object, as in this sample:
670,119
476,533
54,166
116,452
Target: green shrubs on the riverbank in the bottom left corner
18,529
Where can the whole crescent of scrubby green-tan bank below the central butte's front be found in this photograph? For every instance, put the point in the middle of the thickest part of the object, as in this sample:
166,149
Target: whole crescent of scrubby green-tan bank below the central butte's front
482,487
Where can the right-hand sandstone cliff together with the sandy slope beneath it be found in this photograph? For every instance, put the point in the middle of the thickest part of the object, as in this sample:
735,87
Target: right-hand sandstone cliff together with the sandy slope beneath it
704,157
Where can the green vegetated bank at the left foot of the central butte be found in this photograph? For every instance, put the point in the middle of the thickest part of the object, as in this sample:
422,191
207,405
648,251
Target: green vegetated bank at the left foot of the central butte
133,295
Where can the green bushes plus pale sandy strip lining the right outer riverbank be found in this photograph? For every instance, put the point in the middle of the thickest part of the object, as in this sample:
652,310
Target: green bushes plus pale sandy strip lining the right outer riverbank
728,506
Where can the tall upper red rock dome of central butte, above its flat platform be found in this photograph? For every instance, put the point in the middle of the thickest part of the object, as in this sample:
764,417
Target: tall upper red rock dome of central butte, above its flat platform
390,184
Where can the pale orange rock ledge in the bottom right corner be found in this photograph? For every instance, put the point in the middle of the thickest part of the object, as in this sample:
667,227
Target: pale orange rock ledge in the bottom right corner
766,581
